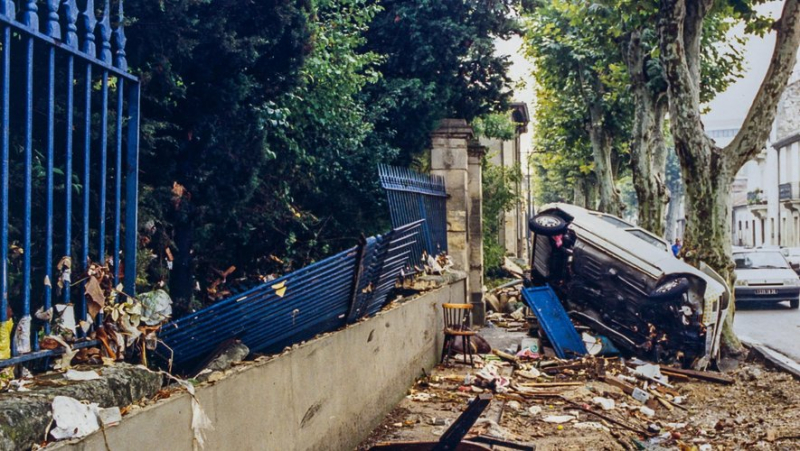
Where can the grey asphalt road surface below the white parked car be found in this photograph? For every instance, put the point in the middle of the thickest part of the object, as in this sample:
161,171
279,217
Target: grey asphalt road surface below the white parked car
774,325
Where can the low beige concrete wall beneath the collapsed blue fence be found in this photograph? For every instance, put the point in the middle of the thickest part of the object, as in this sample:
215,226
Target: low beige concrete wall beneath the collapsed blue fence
327,394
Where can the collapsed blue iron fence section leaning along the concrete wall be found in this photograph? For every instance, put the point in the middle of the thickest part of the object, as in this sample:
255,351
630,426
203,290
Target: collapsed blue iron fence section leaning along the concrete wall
319,298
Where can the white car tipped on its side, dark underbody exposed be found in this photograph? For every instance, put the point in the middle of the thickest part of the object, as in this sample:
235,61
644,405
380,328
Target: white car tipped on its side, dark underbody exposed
623,282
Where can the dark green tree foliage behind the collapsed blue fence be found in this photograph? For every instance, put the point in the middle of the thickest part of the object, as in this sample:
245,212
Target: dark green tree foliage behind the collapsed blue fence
264,122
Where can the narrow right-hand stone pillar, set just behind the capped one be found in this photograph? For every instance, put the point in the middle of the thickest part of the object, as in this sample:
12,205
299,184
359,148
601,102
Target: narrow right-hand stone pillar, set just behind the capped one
476,153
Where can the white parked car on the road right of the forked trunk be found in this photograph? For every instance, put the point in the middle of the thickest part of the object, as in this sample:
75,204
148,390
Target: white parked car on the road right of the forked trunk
765,276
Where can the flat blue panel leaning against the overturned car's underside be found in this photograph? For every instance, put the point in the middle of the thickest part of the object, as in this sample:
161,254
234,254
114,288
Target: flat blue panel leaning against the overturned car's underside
555,322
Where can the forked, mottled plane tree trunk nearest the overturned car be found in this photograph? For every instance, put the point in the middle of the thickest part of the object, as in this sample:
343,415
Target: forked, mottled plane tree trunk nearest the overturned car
708,170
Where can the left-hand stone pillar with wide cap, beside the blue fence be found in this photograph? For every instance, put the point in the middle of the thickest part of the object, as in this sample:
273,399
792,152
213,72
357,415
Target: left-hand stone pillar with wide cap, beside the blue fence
449,160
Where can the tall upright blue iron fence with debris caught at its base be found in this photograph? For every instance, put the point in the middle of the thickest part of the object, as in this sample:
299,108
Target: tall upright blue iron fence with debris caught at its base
57,150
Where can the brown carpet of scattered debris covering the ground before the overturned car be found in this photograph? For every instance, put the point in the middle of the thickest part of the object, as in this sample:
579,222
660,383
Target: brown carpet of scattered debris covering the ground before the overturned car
599,402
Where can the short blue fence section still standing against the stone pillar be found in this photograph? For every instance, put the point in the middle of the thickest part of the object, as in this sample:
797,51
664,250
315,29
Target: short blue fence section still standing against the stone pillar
412,197
